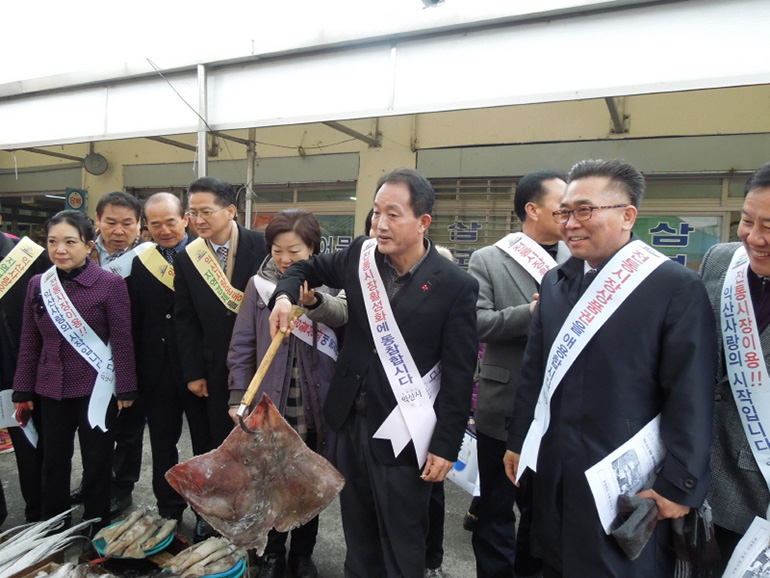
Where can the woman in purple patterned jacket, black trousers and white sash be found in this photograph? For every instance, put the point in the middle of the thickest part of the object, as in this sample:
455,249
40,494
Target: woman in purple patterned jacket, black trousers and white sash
90,306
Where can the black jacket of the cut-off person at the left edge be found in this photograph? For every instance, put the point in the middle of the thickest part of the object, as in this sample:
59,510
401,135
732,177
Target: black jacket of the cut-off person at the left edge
12,310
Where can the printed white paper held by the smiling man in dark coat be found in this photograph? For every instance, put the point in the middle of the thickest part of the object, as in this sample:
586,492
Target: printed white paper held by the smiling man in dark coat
625,471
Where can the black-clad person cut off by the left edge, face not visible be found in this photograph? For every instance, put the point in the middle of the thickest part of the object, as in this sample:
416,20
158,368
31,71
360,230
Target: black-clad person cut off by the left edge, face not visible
29,459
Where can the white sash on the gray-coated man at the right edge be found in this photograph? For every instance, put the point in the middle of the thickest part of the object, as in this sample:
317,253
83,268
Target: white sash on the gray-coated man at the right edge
744,360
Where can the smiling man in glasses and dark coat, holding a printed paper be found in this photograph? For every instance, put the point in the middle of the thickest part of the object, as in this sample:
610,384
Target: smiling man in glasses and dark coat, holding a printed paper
655,354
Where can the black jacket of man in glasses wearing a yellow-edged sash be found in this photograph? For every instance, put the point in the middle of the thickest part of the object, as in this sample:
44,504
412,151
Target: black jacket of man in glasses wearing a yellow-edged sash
203,324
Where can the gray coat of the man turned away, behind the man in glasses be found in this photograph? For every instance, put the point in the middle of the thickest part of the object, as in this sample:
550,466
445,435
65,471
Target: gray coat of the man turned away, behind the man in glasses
502,320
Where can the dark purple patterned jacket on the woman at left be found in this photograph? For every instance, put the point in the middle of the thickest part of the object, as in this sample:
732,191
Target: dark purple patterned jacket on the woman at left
50,366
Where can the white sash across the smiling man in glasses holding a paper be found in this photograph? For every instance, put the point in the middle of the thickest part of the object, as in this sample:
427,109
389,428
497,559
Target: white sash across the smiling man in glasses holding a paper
627,269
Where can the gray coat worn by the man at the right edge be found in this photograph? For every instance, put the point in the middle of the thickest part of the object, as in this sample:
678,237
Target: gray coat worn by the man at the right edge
739,491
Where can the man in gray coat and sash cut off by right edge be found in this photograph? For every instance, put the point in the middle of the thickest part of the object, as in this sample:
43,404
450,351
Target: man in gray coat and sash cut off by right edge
740,490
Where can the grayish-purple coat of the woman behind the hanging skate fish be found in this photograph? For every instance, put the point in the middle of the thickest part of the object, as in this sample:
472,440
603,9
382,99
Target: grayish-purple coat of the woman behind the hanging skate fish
249,343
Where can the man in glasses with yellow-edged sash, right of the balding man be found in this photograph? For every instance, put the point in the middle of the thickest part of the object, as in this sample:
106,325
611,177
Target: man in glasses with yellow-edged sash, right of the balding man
204,321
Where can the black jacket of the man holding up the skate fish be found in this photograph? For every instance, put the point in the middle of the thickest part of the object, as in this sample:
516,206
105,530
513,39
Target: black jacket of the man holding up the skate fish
436,313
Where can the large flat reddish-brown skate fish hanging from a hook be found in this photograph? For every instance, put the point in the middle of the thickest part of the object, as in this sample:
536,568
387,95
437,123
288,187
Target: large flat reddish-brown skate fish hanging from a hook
255,482
